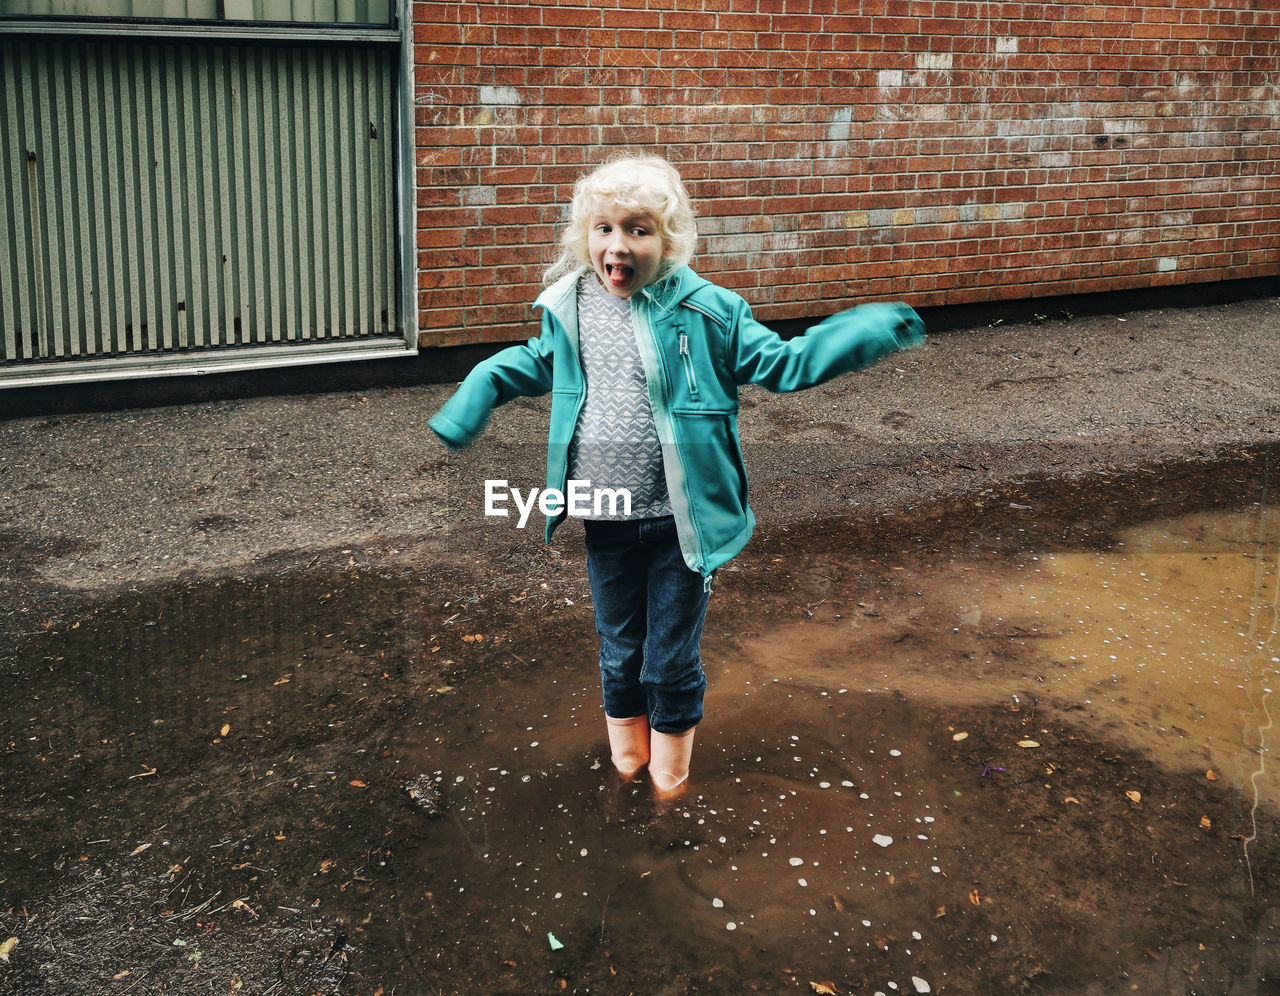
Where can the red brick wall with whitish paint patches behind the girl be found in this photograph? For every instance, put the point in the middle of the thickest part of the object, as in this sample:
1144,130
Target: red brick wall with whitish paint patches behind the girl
929,150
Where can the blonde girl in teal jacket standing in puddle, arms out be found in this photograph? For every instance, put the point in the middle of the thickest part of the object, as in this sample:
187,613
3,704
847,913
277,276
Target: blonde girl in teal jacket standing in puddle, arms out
644,359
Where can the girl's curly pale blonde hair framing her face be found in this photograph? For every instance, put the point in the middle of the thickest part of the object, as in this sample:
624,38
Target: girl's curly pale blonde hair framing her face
636,184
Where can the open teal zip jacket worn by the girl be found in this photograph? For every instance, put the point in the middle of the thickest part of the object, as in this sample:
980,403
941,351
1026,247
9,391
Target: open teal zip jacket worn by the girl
698,344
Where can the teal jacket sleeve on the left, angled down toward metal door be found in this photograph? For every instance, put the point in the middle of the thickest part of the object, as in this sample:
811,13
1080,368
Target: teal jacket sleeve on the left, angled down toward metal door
516,372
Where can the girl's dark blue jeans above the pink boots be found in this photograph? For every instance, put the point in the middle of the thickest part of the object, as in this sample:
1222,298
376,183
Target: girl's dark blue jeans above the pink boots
650,611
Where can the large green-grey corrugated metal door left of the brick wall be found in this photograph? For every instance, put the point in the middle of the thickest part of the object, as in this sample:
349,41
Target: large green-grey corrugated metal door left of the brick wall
168,198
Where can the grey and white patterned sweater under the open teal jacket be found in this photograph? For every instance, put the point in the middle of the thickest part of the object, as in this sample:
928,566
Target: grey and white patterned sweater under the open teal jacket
615,445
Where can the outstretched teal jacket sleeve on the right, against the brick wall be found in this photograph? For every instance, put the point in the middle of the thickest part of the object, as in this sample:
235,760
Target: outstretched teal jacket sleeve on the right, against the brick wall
839,345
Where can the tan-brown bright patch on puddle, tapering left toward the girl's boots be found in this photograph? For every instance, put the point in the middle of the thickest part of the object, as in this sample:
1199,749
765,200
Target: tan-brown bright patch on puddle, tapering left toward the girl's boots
1167,642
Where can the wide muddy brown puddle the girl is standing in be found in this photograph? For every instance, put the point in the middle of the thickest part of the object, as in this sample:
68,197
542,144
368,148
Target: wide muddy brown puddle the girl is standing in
1020,743
